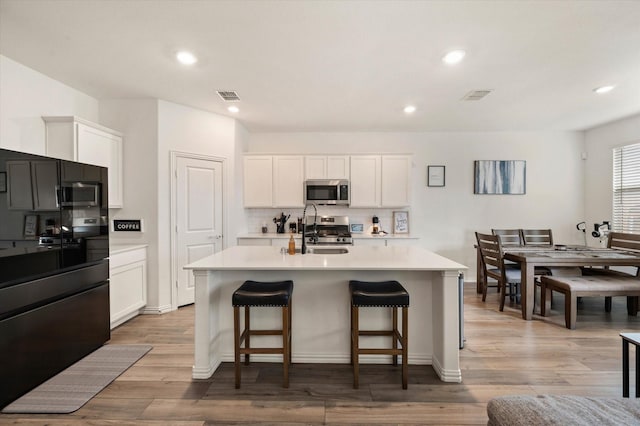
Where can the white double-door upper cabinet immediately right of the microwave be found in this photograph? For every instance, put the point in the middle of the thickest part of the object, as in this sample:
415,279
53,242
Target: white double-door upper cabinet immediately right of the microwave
380,180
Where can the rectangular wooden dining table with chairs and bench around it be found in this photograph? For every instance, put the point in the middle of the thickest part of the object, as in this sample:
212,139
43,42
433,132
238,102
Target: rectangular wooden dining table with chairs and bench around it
529,257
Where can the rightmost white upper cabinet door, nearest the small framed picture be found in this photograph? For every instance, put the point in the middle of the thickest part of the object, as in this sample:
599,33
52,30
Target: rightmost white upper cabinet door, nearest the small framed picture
396,179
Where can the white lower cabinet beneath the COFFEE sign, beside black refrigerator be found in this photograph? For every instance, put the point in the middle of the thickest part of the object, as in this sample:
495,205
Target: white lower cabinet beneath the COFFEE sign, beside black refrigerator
127,283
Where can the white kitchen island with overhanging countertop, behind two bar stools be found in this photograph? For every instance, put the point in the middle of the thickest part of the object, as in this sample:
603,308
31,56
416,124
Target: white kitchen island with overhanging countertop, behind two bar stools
321,304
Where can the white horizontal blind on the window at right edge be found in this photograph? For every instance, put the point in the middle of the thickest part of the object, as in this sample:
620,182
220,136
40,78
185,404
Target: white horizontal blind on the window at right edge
626,189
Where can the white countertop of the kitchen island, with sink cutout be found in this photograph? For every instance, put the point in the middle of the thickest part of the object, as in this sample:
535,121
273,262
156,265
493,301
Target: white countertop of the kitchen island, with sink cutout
358,258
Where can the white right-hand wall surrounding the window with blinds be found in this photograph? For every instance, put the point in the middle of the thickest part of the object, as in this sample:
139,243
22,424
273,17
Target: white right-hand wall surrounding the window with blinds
599,144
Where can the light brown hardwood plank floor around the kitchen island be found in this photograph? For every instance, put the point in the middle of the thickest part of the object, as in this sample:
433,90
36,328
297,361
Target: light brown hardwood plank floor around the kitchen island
502,355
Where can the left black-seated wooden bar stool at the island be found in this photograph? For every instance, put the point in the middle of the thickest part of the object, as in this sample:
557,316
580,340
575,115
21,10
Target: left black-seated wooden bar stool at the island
255,293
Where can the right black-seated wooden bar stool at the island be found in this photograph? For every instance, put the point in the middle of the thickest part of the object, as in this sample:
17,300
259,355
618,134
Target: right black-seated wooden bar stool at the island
379,294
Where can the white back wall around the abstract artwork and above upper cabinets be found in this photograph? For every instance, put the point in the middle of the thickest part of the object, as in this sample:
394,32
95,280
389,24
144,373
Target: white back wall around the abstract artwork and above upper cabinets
445,218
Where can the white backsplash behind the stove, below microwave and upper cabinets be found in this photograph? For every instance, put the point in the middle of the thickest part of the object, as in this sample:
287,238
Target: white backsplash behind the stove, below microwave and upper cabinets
257,217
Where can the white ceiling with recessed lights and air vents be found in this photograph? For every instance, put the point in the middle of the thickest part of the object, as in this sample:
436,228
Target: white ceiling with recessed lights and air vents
345,65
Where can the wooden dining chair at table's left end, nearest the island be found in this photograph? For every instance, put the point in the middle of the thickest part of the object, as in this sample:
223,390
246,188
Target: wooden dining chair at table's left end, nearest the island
493,264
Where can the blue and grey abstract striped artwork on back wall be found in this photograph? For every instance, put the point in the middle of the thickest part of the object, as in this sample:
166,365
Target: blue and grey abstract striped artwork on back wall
500,177
